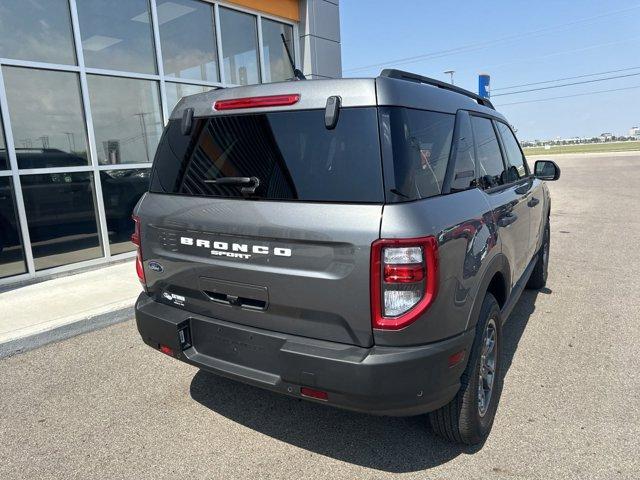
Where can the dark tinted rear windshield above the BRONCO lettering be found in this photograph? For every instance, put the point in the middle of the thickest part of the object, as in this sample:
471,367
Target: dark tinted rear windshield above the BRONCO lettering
292,154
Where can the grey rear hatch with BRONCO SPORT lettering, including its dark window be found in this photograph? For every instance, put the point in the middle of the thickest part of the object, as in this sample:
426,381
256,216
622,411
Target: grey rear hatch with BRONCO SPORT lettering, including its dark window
288,252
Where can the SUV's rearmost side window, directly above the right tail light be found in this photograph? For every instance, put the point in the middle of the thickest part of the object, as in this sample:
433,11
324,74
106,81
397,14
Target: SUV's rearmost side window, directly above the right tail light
421,143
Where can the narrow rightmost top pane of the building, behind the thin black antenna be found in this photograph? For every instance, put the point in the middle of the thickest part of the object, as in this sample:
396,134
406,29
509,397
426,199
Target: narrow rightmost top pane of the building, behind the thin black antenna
276,60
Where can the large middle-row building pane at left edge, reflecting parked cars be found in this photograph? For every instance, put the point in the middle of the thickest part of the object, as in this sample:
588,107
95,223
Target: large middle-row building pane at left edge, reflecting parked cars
46,117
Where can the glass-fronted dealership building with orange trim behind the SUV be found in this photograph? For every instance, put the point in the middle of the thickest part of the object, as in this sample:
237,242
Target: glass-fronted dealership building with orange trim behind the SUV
86,87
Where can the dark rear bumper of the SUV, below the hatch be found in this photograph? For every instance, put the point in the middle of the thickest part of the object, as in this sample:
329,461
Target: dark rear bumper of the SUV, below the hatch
397,381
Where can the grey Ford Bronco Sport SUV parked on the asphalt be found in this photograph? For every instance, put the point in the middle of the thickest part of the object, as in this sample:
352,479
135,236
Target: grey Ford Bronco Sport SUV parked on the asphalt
354,242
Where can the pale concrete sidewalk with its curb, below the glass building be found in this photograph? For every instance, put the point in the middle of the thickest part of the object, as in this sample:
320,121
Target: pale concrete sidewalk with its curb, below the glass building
40,313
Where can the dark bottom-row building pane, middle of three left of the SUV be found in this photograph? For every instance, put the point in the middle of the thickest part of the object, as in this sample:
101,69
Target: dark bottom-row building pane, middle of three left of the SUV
61,218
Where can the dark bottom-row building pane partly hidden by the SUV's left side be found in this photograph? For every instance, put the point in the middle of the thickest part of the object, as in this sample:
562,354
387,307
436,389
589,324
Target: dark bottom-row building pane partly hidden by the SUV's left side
121,190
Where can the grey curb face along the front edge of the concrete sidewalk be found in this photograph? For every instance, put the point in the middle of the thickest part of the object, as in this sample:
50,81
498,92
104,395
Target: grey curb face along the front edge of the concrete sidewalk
63,332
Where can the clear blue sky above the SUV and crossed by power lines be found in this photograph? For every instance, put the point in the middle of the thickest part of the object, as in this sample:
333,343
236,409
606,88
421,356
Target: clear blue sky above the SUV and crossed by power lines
516,42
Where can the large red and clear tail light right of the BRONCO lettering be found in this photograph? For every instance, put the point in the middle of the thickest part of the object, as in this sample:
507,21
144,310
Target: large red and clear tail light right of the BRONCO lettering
404,280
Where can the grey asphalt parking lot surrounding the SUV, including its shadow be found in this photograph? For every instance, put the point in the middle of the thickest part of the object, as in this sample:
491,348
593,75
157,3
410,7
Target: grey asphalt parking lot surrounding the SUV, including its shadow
104,405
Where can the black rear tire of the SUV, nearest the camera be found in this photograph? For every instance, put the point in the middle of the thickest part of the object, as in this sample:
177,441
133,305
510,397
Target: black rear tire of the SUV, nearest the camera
465,419
